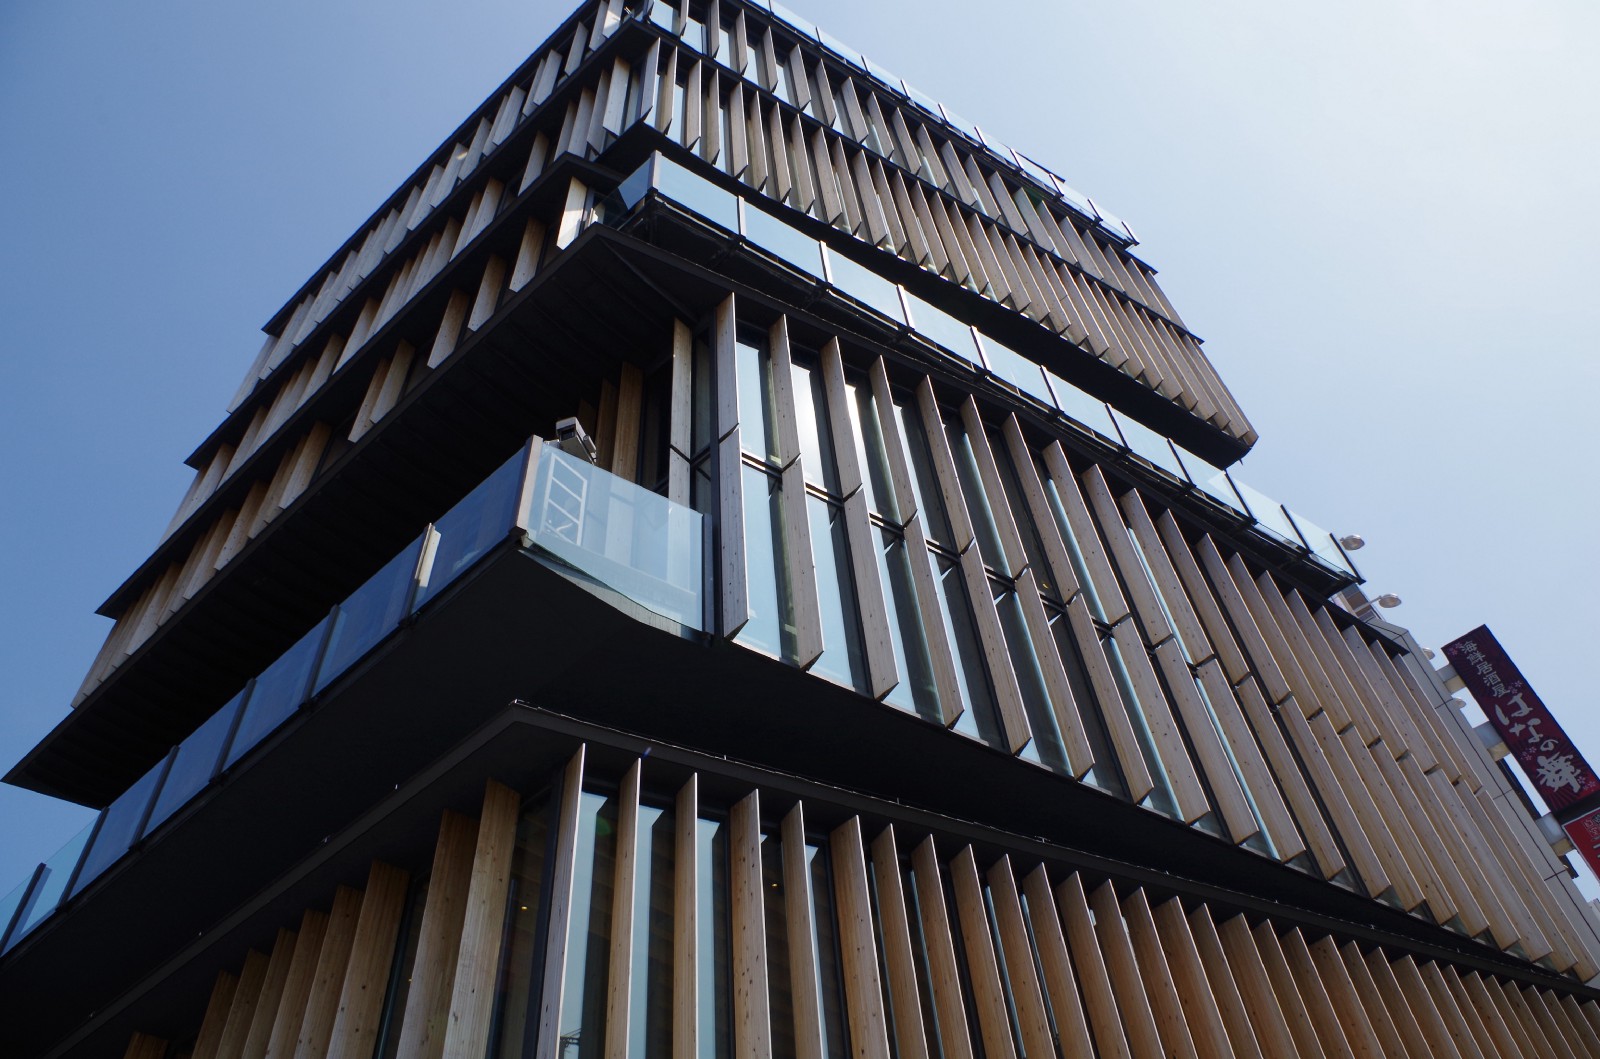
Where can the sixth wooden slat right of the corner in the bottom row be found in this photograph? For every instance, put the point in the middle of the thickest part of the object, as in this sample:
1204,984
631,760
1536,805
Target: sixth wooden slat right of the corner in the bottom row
858,948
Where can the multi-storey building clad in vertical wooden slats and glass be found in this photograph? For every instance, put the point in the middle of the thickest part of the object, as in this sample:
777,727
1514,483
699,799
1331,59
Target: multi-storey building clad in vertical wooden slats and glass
426,733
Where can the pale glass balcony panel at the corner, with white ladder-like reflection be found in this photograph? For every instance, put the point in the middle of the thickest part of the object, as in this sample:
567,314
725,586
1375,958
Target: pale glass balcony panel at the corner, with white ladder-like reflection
625,537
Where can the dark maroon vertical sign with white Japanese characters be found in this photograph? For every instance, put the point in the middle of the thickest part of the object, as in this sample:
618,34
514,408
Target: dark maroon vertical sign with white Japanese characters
1550,759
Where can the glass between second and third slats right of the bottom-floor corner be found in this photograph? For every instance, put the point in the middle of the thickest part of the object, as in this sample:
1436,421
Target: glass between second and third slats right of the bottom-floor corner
650,1004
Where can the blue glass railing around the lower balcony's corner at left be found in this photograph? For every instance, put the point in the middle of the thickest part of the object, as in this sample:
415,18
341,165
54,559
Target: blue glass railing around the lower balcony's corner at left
617,533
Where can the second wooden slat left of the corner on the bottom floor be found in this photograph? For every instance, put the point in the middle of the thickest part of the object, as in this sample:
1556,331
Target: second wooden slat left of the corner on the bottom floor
439,943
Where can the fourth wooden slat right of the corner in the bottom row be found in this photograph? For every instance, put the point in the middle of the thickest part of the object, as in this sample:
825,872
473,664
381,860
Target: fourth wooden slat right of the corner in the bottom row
751,1020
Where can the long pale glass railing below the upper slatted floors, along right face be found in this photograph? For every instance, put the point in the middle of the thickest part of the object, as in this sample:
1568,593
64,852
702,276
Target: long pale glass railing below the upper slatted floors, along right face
882,298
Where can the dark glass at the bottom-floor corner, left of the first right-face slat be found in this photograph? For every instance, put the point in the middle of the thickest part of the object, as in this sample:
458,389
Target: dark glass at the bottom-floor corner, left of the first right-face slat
516,1001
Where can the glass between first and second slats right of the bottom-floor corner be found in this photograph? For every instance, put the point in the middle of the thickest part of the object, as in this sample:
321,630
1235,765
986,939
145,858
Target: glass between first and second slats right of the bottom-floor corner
590,930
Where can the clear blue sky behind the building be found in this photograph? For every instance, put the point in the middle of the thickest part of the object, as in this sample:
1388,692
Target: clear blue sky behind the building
1380,217
